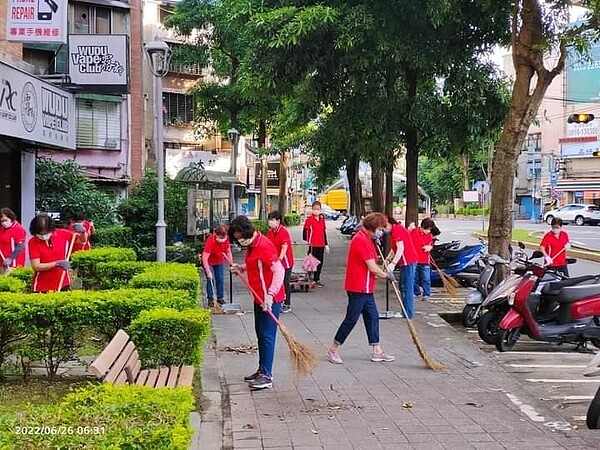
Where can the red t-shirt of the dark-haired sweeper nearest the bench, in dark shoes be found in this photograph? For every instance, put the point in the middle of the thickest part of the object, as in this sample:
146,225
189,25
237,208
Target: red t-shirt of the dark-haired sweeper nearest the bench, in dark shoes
260,256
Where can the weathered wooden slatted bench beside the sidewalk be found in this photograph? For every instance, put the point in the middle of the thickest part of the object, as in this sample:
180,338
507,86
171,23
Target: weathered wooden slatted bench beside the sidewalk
119,363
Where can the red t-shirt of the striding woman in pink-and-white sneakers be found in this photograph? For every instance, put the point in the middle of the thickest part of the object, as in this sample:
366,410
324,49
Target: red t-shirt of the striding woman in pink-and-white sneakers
358,277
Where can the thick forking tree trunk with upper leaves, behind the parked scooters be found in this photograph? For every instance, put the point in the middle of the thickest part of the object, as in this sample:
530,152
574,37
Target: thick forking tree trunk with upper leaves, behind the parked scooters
541,36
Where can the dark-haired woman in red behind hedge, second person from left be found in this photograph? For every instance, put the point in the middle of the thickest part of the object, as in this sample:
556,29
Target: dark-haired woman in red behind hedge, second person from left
49,251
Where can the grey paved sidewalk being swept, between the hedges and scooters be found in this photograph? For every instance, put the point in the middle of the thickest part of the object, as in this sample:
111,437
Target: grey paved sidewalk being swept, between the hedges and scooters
366,405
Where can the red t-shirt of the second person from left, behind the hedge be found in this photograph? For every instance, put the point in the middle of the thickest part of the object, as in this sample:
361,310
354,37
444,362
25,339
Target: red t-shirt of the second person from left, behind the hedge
55,249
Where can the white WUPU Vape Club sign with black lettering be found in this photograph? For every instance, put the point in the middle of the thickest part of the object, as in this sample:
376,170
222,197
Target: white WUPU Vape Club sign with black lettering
99,61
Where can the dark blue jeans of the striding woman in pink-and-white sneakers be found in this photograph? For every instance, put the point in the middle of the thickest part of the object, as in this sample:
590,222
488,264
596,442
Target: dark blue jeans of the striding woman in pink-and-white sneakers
359,303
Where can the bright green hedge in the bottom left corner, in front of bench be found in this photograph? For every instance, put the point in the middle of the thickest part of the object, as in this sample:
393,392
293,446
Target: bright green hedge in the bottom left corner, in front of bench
105,416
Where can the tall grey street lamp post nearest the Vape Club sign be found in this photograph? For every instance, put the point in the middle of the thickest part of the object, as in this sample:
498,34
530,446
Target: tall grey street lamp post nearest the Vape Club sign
159,57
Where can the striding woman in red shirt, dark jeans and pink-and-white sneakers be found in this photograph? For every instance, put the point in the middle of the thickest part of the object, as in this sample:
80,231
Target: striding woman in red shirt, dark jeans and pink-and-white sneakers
361,271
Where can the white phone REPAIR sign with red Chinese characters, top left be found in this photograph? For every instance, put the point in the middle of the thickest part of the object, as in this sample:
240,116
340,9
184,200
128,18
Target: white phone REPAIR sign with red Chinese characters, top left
37,21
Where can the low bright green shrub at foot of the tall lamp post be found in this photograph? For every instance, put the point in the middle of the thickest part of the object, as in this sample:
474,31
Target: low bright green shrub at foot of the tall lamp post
169,276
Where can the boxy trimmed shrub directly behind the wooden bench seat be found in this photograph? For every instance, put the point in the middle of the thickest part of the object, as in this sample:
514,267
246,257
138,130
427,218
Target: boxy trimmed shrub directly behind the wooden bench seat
166,337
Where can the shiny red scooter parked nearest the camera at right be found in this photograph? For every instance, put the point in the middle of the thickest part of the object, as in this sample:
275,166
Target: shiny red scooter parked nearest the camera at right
576,320
